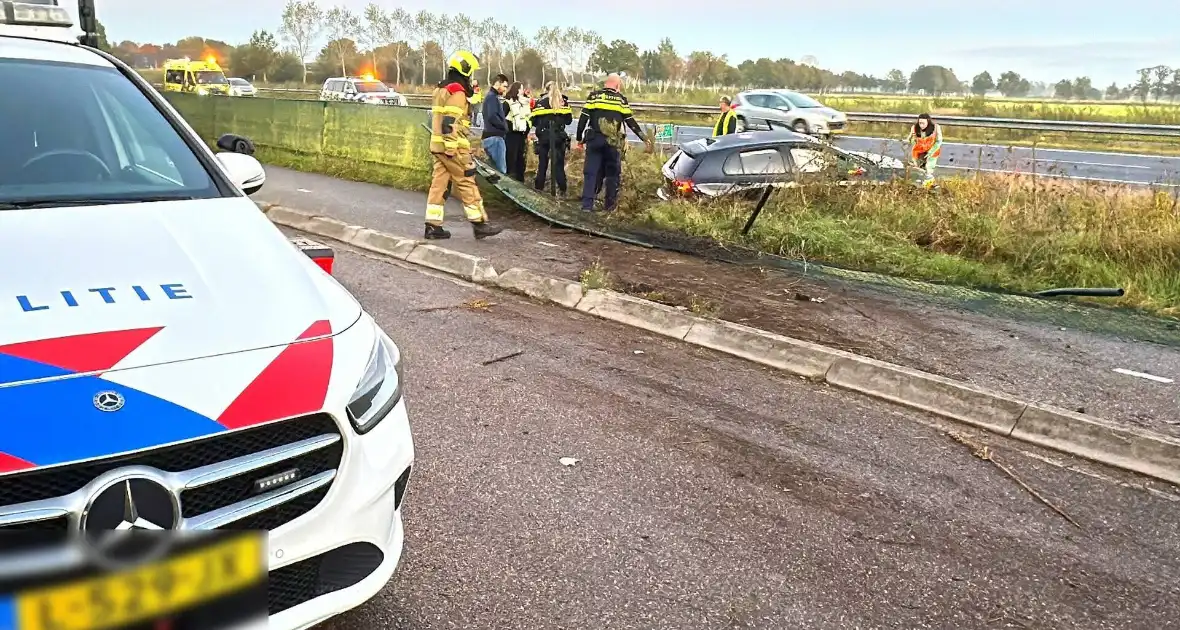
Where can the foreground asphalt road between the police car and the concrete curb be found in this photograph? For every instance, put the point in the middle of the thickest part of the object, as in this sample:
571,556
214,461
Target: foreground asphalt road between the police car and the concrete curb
711,494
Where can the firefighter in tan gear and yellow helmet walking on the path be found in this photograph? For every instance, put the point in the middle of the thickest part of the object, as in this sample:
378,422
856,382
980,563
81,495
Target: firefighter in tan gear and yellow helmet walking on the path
451,150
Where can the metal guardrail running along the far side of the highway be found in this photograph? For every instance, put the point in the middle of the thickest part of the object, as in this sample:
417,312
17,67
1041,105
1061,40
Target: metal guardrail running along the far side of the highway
1064,127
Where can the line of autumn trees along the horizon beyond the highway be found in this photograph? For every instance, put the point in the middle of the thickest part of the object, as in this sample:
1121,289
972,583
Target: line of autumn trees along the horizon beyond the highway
405,48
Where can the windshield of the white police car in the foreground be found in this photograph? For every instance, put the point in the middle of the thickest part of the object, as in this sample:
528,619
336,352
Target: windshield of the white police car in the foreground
77,133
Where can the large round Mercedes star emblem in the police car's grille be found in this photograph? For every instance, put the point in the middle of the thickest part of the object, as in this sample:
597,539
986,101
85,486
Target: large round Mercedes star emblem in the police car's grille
129,521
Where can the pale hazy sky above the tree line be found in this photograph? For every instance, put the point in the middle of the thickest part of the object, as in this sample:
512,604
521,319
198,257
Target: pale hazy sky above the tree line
1054,40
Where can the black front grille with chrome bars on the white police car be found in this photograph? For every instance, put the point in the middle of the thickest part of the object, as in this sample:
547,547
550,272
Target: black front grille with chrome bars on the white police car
214,476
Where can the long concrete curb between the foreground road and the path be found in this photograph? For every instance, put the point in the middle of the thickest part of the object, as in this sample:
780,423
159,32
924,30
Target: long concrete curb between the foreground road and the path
1096,439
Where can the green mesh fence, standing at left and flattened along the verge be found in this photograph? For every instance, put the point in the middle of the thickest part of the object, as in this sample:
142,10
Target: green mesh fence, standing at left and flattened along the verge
395,136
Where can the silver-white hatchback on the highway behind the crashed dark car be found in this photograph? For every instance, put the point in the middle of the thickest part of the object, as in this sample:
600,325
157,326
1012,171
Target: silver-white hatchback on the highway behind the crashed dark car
764,109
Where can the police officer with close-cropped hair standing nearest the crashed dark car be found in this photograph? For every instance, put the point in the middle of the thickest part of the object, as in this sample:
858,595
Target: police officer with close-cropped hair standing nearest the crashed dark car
601,132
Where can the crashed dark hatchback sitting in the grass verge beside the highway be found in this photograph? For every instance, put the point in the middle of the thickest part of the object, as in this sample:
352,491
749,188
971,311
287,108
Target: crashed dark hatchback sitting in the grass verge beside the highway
752,161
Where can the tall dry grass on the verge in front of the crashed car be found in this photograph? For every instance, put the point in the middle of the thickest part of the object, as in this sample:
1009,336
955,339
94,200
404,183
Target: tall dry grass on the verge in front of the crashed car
1009,233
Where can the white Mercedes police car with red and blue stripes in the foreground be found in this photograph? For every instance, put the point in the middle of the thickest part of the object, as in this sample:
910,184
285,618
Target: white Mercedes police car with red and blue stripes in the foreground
167,355
